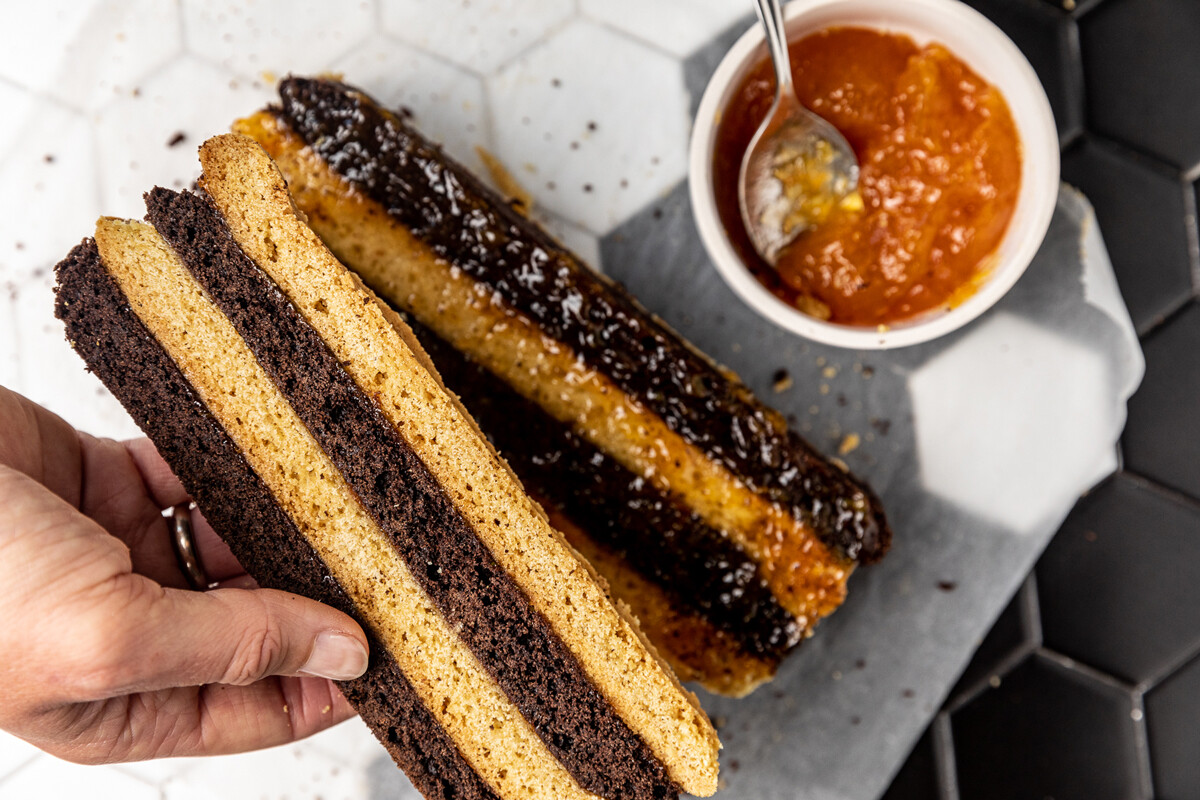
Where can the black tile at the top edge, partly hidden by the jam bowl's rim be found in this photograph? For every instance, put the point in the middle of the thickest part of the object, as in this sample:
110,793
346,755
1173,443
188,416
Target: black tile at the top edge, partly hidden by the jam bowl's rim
1051,43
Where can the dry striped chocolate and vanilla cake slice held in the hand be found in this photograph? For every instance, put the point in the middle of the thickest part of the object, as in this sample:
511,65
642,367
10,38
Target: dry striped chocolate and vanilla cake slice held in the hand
315,435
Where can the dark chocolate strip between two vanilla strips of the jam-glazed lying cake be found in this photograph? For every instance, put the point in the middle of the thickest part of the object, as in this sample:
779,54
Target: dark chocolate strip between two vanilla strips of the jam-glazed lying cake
697,566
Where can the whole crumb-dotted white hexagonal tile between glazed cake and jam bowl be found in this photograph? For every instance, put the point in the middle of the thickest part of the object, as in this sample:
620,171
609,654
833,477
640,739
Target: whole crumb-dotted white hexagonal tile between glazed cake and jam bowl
595,124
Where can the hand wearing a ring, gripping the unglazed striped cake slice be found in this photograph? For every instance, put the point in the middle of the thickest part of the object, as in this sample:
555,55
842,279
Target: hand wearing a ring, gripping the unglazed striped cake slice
107,657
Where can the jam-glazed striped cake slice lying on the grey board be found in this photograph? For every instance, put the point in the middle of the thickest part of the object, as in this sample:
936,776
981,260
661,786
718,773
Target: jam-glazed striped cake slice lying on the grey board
725,532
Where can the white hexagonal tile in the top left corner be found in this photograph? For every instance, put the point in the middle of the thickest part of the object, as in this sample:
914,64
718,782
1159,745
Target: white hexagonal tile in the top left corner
83,53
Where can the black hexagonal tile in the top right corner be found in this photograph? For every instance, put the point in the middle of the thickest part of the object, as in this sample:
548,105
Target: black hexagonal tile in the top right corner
1141,67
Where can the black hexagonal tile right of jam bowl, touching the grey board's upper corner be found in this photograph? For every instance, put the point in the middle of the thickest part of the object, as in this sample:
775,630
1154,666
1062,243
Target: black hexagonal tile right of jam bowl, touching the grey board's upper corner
1144,218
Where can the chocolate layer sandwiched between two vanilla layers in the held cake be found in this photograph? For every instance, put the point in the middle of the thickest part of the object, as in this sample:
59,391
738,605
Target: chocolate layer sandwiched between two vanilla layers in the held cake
472,592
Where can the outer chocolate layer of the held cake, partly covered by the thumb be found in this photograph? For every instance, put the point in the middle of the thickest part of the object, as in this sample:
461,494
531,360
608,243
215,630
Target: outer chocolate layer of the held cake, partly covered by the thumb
117,347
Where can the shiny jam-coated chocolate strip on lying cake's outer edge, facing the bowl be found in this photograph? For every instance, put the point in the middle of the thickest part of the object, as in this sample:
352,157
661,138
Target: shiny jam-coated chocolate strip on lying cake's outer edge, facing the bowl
472,227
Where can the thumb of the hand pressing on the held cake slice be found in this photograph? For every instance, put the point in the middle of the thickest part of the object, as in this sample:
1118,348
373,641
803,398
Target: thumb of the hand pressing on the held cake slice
164,639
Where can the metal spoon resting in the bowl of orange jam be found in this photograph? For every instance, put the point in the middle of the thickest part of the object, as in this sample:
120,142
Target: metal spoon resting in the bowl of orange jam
799,169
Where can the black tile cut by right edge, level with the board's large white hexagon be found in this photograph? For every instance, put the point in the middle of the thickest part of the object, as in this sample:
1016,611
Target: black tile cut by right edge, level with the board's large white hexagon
1162,438
